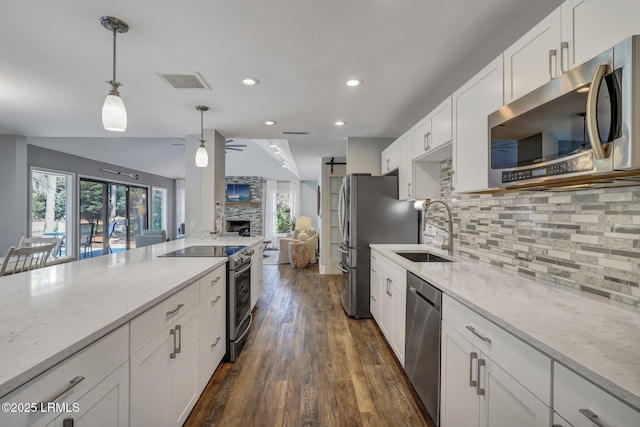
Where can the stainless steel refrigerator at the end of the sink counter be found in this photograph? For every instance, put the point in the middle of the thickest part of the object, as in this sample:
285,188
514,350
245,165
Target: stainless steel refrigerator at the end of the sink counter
369,212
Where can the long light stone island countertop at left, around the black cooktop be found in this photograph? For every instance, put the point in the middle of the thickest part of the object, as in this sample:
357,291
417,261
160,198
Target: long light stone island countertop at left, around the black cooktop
46,315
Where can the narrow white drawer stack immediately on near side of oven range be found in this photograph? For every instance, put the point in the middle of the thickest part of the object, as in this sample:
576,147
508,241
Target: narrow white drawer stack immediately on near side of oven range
213,330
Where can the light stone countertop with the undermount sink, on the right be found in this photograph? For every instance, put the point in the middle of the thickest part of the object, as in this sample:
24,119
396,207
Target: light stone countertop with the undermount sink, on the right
595,337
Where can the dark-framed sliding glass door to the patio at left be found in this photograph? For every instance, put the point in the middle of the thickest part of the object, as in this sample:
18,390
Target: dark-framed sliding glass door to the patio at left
111,214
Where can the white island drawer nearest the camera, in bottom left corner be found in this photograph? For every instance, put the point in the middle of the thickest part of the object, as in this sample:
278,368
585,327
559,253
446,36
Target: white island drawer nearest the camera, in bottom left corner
85,369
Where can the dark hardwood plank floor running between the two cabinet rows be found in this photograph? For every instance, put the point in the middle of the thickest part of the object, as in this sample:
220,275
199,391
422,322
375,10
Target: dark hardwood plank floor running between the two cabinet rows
306,363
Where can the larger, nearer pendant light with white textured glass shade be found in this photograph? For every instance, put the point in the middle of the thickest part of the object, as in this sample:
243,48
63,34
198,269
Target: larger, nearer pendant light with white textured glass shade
114,115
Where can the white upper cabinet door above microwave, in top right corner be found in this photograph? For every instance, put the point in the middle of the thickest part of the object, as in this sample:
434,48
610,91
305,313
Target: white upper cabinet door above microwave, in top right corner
592,26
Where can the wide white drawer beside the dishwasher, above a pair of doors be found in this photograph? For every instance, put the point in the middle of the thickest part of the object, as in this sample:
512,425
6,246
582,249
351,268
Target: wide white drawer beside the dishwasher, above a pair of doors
527,365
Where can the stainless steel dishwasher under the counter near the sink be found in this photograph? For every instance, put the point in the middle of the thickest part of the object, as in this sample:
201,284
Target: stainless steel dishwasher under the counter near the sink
422,351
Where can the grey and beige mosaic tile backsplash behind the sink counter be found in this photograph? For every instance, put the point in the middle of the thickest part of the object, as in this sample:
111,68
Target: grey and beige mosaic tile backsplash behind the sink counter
585,239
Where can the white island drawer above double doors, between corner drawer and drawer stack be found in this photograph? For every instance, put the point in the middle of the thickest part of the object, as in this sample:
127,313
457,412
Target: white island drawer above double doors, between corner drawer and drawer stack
157,318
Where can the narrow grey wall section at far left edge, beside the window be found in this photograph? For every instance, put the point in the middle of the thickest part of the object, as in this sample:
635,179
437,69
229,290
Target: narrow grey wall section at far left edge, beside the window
14,188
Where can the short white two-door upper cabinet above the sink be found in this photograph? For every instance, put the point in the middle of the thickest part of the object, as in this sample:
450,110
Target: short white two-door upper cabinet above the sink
434,130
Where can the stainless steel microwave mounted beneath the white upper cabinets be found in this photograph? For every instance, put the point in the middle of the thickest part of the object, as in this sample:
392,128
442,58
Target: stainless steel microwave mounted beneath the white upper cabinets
578,129
